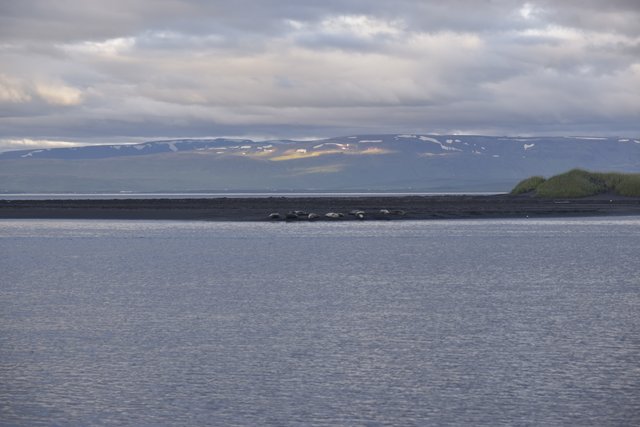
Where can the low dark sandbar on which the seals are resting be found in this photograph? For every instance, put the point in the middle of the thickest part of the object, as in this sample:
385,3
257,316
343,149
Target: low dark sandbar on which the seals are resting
374,208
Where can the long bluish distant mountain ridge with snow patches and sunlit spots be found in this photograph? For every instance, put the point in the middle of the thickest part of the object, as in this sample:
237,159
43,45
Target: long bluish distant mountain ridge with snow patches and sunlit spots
447,163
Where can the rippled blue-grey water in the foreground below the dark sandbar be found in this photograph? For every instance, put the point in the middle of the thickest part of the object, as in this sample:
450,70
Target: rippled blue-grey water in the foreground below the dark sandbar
492,322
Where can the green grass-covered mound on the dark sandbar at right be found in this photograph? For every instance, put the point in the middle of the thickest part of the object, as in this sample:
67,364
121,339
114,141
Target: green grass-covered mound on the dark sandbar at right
580,183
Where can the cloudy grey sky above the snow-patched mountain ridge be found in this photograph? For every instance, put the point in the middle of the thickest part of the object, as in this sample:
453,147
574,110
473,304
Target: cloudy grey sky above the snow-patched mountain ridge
94,71
